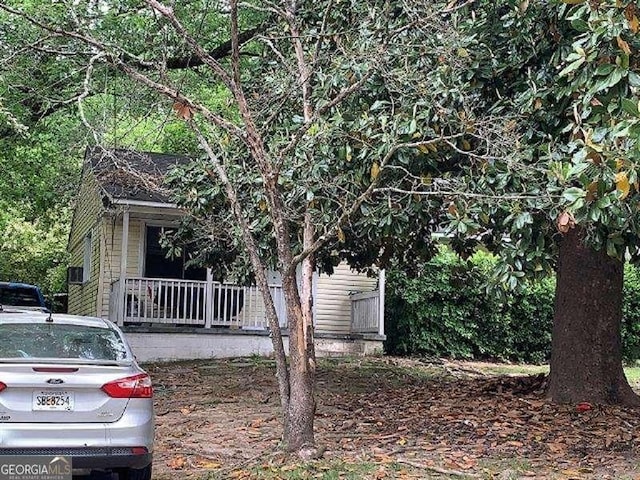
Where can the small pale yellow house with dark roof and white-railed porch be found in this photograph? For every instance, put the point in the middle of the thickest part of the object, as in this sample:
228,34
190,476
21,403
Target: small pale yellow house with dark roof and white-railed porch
169,311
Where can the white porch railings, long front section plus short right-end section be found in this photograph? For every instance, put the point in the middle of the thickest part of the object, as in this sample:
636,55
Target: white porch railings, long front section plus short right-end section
162,302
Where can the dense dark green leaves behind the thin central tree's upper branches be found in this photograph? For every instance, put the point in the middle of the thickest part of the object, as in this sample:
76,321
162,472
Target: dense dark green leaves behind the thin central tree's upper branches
344,149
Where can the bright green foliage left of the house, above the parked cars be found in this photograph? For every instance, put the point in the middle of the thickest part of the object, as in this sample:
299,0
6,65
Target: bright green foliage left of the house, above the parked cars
40,170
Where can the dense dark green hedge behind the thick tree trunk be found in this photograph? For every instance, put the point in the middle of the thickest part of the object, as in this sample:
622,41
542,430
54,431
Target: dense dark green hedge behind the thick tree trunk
447,311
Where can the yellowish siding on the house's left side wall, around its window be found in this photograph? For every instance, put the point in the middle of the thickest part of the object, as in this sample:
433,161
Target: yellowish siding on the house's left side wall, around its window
86,220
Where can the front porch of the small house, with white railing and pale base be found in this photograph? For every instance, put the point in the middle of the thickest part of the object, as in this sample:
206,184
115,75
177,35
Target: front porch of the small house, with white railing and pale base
172,311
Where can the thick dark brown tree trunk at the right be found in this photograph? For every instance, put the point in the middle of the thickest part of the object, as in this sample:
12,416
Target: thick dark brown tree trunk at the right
586,351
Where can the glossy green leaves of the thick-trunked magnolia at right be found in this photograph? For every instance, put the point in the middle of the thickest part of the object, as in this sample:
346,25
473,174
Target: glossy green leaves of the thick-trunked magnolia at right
566,73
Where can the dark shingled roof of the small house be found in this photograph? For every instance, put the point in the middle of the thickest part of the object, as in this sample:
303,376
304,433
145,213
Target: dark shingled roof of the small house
130,176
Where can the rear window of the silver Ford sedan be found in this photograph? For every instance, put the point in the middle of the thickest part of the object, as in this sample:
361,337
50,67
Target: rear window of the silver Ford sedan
50,340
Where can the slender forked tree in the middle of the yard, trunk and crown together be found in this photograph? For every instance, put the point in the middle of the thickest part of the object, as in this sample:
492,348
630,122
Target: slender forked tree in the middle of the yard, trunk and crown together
309,120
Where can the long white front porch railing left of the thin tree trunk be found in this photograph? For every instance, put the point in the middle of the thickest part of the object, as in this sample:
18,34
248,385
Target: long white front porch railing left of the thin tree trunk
191,303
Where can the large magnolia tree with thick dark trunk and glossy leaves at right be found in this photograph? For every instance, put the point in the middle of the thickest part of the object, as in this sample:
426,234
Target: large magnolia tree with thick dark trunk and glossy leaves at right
567,73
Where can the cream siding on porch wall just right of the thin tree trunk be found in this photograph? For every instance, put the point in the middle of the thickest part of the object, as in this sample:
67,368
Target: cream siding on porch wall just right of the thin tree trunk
332,301
